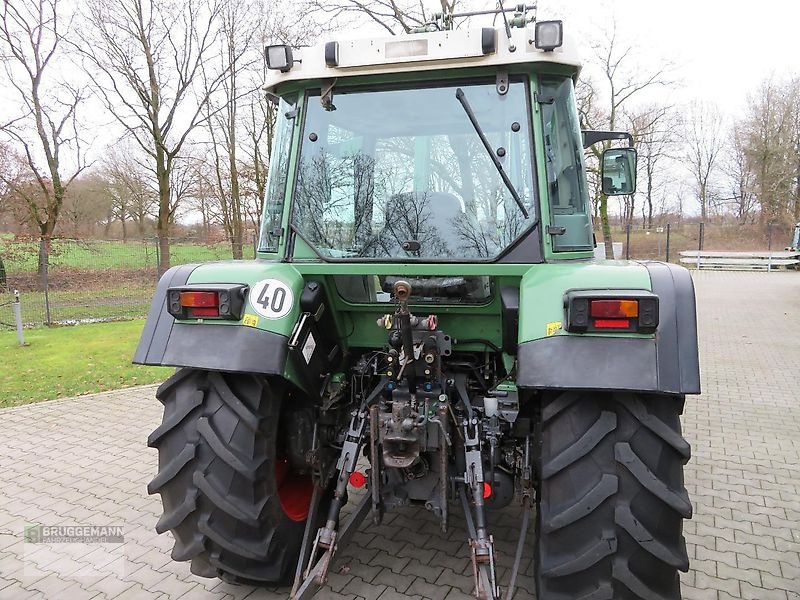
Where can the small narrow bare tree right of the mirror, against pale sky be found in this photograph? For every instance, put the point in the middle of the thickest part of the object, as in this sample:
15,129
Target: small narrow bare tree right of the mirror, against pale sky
705,142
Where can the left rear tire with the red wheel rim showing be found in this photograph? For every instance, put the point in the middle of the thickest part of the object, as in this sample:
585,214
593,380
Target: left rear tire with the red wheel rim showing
234,504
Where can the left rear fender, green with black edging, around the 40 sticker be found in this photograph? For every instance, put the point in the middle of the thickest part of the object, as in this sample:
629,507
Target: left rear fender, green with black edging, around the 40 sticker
220,345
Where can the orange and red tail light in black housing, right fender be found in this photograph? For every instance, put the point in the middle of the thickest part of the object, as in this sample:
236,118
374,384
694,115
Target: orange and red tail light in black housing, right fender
630,311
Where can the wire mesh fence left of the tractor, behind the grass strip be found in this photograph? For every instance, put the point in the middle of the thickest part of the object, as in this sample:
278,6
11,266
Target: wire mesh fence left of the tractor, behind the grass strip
91,280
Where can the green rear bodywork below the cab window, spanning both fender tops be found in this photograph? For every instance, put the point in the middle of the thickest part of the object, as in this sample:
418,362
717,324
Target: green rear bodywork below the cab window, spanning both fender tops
542,289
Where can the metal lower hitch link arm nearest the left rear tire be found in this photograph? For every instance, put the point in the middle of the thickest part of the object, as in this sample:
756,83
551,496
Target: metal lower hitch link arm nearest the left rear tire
311,575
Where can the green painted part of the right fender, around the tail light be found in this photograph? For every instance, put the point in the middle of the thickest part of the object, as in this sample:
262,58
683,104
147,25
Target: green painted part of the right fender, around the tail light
543,286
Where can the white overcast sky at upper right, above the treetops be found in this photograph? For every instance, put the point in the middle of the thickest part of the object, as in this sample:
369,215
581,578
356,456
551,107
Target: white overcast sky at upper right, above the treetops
722,49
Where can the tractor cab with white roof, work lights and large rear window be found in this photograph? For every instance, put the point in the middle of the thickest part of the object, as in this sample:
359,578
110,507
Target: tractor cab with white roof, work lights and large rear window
443,147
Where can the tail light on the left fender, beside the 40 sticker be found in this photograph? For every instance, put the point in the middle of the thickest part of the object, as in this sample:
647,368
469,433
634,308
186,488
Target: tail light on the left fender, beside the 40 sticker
207,301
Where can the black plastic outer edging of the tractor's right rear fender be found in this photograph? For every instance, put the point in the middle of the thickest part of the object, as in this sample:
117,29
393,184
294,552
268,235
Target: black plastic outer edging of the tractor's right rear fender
664,363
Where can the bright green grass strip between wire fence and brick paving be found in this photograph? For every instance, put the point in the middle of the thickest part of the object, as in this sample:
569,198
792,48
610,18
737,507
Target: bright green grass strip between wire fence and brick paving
68,361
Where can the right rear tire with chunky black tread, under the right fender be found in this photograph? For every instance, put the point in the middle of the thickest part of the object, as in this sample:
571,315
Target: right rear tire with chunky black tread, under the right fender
611,499
